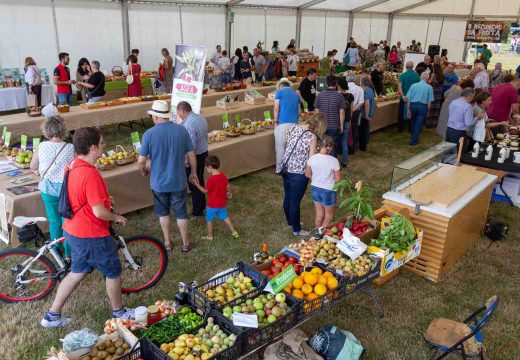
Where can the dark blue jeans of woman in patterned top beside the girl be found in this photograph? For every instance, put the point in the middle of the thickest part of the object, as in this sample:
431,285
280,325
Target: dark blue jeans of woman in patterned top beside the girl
294,186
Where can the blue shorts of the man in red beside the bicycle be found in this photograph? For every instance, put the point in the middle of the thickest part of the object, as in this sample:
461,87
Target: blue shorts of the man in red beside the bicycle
88,254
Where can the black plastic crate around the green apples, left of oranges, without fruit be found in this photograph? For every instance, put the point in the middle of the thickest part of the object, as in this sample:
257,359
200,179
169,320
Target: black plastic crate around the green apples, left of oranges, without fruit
255,338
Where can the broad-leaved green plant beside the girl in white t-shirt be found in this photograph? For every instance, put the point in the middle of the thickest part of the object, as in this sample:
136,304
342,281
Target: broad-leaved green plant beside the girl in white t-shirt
355,201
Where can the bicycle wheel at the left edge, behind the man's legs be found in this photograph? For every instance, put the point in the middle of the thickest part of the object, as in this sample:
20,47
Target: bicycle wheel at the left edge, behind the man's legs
36,283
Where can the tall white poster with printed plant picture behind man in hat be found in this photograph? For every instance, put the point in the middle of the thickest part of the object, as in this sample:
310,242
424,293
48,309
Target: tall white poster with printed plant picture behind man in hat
188,80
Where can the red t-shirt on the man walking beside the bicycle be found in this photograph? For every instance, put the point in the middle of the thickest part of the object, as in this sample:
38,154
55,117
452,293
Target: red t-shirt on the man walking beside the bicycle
86,189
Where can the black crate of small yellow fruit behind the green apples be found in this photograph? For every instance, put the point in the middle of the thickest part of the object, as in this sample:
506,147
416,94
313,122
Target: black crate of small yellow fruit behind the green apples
222,289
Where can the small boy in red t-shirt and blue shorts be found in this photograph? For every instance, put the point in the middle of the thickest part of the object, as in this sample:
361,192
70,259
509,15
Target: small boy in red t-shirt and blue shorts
218,190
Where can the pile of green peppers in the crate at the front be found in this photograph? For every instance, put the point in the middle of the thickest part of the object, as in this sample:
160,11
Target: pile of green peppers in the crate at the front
171,327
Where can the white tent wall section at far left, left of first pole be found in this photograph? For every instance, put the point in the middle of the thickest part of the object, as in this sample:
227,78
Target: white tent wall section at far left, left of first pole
26,29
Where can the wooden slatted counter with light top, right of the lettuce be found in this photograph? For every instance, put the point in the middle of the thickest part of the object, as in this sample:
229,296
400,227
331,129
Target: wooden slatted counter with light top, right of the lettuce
451,222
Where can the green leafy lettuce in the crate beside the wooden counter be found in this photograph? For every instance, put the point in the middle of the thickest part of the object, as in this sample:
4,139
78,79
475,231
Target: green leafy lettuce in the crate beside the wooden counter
397,236
